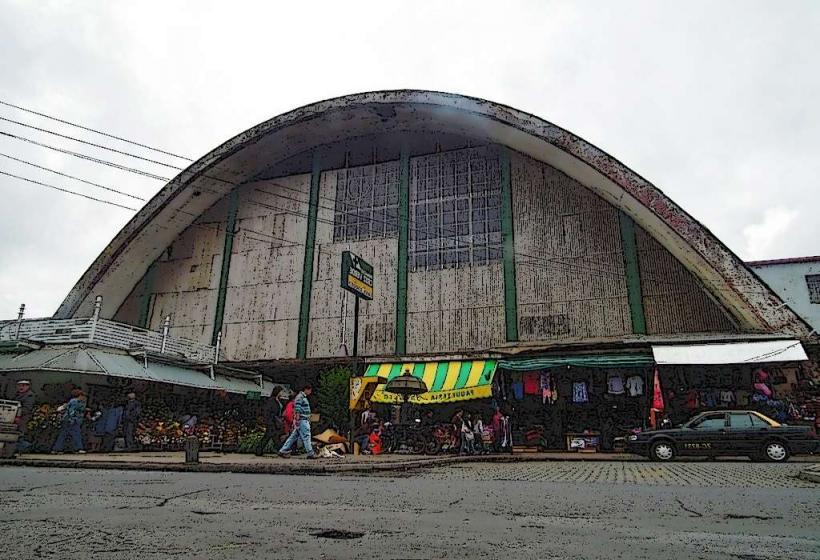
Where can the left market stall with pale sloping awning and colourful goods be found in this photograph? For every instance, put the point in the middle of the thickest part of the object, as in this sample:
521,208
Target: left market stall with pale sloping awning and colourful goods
216,404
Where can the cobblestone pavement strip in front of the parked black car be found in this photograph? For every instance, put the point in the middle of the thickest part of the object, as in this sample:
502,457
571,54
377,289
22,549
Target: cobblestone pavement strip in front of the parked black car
713,474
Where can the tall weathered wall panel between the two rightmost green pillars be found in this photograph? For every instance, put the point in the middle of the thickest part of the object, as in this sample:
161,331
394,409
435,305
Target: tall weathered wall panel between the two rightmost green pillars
569,259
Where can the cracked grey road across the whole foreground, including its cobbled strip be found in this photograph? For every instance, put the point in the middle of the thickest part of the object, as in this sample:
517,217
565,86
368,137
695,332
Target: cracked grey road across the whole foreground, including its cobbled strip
532,510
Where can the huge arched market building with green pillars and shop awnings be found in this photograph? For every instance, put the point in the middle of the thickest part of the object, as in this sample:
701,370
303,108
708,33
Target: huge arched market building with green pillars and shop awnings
514,264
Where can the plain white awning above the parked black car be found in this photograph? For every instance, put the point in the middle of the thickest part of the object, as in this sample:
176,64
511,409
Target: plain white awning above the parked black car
730,353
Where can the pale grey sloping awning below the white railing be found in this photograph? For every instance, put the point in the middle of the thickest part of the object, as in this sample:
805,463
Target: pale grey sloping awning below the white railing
96,361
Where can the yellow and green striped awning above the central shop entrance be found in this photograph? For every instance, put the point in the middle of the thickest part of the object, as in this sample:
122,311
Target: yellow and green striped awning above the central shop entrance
446,381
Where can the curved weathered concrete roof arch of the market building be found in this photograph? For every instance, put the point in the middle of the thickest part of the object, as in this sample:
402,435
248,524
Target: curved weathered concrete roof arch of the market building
124,261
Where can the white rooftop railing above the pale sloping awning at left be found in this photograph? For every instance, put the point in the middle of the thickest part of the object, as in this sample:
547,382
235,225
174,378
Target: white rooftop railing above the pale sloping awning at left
105,333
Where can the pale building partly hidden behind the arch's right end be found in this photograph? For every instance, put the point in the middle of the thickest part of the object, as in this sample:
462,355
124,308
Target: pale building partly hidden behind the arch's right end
797,282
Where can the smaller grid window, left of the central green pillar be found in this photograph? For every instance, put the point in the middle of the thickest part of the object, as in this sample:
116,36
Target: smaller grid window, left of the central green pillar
367,202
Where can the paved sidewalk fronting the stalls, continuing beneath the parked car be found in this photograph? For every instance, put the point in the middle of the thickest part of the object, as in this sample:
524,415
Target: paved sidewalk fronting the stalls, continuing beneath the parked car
245,463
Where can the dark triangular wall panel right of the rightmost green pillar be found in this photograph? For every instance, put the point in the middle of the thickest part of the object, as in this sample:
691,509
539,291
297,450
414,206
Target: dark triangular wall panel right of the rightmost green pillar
673,299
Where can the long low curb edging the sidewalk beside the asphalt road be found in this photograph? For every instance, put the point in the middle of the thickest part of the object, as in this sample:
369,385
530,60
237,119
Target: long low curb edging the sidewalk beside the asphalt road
299,468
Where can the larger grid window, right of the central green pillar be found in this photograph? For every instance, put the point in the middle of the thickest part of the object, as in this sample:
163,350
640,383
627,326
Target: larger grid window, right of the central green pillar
455,209
